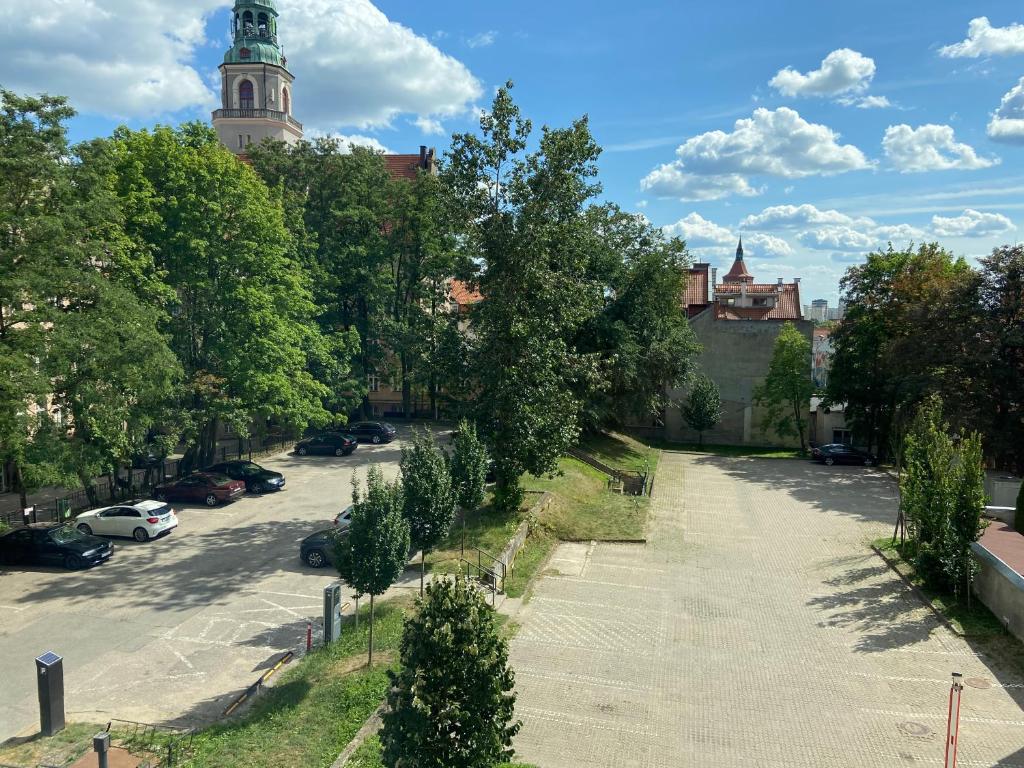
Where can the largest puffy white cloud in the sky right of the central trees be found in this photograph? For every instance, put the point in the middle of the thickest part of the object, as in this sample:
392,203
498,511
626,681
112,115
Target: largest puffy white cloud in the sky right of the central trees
778,143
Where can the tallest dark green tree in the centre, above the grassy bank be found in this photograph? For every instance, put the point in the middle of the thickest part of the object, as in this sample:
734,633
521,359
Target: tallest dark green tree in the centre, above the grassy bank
525,226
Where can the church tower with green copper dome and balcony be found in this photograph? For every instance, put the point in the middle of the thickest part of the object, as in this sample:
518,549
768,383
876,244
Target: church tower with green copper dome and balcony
255,87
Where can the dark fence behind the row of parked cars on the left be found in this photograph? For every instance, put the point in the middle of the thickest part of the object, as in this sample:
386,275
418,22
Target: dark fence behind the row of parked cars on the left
137,482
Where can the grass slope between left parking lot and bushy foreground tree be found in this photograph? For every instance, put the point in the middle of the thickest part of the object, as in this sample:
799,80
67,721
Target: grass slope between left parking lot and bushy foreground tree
317,706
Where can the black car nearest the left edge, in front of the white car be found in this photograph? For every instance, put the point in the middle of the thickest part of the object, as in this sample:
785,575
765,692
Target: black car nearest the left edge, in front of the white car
54,544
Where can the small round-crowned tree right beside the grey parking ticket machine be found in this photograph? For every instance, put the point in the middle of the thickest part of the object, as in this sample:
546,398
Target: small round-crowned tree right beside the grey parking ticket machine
373,554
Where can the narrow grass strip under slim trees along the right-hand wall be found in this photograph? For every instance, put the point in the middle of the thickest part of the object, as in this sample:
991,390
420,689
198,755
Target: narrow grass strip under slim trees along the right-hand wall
976,623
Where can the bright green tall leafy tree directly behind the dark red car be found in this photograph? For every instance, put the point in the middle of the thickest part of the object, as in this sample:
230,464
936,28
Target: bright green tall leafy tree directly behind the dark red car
241,318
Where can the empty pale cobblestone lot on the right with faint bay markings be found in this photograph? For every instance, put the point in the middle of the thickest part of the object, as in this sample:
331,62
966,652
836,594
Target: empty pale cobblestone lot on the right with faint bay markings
756,628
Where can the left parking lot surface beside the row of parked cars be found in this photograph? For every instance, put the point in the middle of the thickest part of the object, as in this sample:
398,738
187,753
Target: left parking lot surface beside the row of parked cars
170,631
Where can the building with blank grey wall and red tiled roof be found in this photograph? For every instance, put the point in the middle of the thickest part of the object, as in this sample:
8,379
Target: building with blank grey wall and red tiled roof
737,323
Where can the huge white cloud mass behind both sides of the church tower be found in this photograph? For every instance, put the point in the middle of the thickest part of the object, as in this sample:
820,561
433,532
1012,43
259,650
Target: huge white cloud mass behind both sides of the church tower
131,59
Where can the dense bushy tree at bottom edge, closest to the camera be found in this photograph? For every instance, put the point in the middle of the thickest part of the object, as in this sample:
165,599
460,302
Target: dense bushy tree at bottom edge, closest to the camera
453,700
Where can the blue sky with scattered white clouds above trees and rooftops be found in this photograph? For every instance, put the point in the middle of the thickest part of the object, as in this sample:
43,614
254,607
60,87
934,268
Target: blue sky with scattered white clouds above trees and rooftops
819,132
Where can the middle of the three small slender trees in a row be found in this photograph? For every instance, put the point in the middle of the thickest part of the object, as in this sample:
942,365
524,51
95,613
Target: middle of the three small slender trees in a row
429,497
